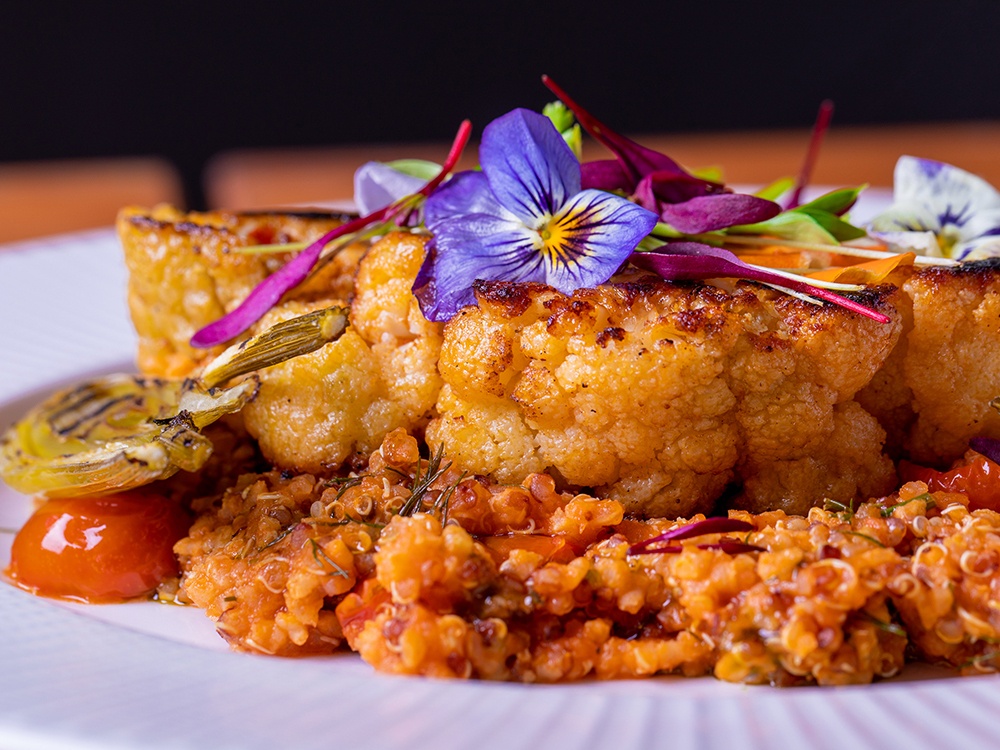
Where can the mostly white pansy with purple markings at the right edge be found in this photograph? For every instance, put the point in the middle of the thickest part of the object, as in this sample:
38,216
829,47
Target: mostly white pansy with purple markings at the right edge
941,211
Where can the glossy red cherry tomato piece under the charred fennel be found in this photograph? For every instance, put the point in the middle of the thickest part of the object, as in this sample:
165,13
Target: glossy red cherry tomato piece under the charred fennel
98,549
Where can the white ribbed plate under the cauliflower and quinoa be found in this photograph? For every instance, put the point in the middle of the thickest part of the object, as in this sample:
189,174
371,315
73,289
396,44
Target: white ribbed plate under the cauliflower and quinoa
152,676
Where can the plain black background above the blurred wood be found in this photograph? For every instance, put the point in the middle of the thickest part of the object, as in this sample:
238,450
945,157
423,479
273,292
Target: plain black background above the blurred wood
188,80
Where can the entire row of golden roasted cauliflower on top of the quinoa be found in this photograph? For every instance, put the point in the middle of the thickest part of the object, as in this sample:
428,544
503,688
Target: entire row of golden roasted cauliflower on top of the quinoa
663,396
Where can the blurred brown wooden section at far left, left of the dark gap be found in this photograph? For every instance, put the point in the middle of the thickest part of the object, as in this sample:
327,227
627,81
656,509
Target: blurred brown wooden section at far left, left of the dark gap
45,198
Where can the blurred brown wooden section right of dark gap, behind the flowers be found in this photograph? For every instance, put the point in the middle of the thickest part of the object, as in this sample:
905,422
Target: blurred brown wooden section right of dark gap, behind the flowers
850,156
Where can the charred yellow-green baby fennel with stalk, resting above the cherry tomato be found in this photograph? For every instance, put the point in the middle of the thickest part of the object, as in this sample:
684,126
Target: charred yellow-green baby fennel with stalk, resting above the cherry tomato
122,431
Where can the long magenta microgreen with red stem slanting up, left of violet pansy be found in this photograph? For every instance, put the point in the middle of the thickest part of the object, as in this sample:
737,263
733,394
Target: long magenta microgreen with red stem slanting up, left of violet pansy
267,294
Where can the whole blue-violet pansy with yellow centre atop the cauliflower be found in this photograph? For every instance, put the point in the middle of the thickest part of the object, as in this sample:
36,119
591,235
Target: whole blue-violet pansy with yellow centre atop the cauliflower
524,217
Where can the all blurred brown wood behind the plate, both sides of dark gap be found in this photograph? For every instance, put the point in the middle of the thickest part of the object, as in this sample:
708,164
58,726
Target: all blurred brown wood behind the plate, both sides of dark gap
54,197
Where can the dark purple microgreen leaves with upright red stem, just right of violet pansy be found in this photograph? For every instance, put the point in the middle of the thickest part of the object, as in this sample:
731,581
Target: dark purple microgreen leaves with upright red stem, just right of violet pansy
688,203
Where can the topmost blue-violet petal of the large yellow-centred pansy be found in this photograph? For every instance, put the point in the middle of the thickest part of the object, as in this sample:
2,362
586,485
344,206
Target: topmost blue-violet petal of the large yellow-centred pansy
531,170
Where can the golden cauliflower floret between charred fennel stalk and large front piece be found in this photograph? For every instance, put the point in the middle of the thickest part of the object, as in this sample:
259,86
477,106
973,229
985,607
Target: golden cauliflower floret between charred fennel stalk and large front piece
314,412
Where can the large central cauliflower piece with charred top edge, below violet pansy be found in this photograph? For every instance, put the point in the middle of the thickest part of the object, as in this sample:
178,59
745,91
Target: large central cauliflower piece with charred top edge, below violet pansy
660,395
